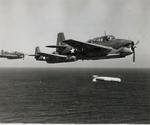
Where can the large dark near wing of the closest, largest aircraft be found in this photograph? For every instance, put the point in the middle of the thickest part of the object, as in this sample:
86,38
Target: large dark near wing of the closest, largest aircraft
86,46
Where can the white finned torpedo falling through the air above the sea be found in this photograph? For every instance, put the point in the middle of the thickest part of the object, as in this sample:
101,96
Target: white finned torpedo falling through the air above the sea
104,78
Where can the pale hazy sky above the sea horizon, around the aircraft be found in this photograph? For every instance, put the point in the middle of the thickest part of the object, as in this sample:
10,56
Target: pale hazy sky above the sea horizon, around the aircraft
25,24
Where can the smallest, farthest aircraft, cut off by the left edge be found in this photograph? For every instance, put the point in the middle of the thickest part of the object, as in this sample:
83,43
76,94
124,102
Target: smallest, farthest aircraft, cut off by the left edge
12,55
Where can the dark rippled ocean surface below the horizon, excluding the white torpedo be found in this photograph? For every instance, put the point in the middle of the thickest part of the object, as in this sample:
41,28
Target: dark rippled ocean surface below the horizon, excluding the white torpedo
59,95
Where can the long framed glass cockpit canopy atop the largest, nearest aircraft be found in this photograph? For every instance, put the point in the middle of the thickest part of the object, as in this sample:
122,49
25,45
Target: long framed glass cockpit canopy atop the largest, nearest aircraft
102,39
